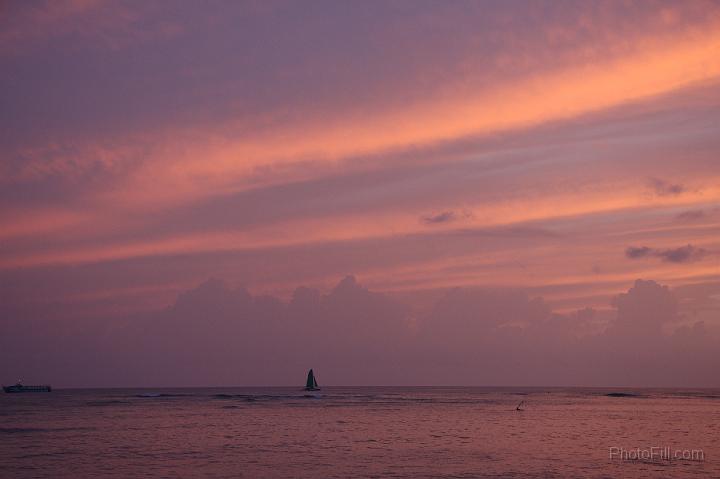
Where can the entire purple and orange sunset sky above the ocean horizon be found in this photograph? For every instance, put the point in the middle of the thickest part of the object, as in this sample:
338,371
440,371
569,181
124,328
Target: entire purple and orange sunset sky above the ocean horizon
399,192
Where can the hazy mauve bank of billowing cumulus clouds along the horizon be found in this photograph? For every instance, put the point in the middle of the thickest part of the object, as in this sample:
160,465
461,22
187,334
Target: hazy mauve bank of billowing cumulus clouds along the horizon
215,334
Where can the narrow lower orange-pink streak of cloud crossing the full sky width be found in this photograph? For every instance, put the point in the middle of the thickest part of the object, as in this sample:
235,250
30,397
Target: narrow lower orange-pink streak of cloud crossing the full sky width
349,227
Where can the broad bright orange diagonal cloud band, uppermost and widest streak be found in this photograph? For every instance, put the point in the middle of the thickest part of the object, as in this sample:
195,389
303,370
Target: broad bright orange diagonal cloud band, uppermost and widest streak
190,166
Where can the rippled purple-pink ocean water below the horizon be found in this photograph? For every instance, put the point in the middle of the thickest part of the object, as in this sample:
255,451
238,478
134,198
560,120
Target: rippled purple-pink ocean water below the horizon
359,432
